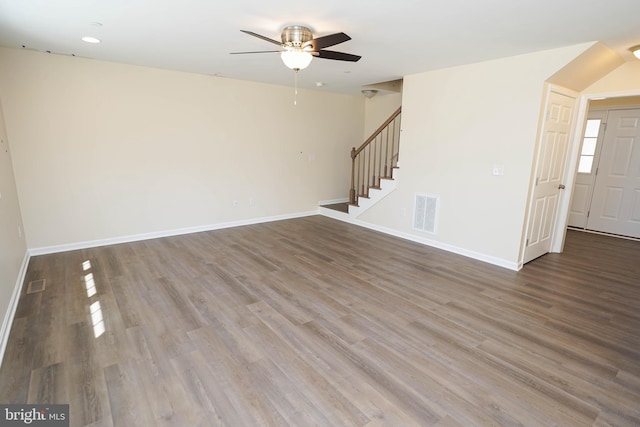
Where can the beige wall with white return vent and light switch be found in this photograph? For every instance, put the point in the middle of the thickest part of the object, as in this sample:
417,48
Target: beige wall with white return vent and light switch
457,124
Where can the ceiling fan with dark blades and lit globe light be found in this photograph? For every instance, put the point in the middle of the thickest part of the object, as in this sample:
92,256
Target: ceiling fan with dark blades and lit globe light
298,47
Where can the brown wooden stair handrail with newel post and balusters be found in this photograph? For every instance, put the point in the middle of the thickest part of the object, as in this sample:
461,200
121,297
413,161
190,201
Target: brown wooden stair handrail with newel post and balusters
388,163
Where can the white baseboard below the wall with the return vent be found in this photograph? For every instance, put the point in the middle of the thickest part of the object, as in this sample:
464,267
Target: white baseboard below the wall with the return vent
427,242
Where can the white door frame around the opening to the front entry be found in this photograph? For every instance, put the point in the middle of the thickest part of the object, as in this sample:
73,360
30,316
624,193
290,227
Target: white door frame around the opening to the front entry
564,204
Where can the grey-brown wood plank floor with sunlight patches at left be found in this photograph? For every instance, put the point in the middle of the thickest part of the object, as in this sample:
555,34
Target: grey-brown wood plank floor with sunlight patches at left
317,322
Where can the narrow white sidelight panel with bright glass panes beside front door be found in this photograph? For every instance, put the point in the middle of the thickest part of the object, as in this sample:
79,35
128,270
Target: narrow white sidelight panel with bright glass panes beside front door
590,148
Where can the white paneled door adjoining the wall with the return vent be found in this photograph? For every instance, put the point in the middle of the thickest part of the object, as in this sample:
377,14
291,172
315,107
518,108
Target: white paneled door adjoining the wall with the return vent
550,168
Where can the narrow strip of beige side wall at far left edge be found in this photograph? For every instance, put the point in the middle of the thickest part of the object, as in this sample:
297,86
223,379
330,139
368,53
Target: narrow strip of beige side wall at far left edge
13,247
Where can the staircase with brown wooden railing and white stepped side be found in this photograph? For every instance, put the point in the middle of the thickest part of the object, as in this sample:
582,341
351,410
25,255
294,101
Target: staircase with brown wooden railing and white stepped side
373,165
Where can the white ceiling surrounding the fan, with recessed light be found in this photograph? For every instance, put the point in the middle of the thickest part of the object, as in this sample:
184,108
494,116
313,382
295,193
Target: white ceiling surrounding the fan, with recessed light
395,38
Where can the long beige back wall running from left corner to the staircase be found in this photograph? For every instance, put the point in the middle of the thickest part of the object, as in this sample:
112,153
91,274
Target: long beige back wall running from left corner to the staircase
104,150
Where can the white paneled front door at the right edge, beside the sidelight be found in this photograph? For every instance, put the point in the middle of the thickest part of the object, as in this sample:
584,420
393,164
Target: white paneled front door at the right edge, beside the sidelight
615,206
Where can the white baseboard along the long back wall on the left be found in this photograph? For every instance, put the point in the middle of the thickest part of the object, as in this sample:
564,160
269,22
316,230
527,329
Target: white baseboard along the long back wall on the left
166,233
